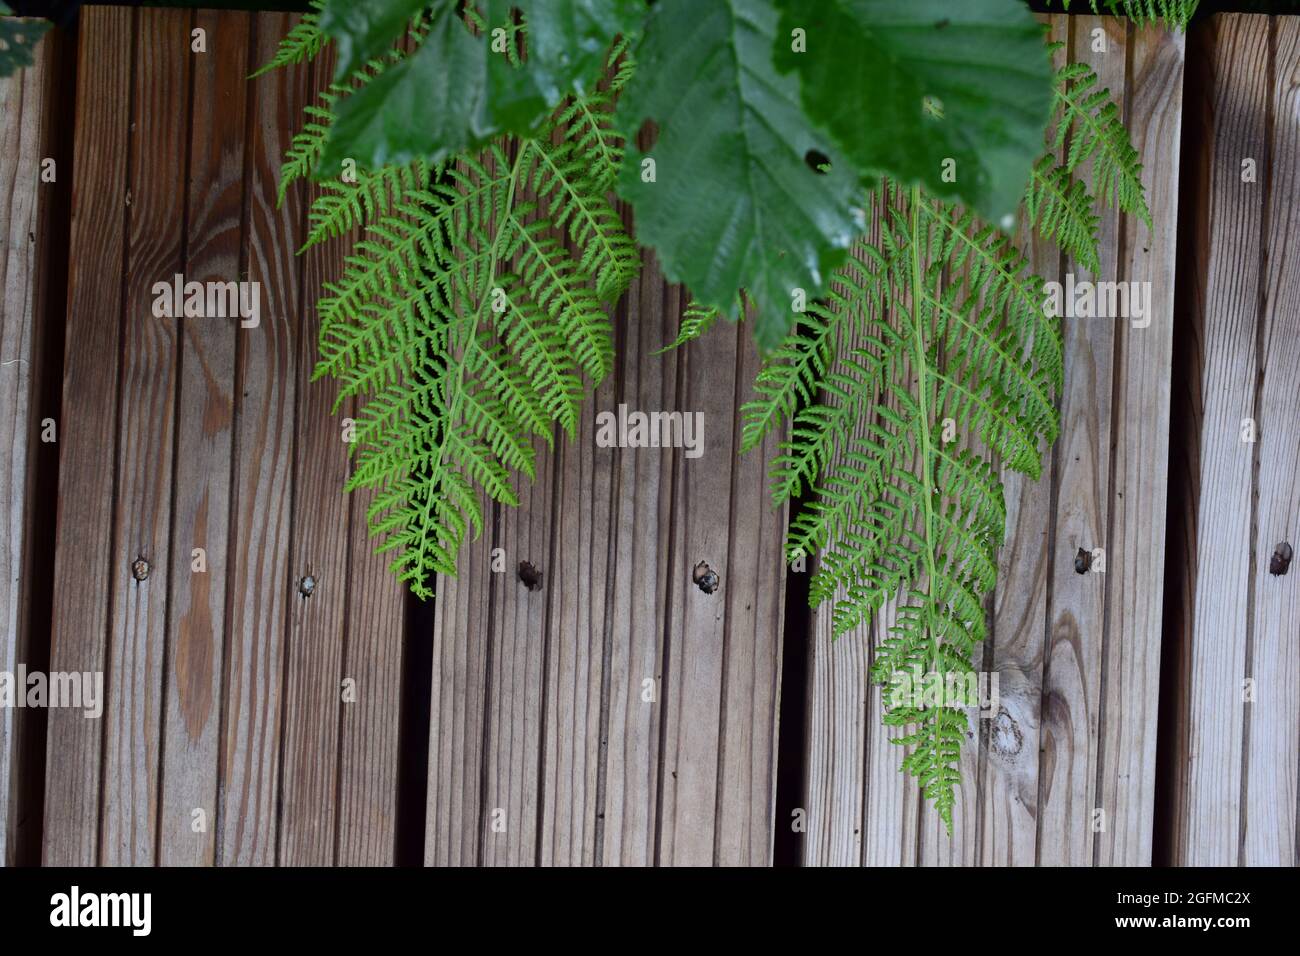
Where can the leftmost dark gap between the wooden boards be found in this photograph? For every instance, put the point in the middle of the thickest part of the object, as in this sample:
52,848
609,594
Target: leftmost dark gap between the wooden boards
50,313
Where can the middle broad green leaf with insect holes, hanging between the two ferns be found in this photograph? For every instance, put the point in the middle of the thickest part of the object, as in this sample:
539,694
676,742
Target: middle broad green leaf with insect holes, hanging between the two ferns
735,200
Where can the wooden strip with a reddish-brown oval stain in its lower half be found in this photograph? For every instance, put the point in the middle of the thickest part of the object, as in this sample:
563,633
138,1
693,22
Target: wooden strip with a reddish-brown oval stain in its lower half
205,448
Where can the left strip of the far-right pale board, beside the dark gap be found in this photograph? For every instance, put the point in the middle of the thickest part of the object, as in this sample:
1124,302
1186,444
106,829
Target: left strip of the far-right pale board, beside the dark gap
1225,326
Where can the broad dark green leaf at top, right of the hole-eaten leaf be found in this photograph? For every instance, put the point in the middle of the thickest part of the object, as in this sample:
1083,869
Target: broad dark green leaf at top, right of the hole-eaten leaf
954,97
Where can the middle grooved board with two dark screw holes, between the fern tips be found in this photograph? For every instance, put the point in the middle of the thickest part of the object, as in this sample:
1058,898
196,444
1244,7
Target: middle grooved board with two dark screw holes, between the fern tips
619,715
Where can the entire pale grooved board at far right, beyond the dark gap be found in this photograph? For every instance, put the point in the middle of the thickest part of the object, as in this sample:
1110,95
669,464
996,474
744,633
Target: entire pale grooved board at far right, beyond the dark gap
1237,745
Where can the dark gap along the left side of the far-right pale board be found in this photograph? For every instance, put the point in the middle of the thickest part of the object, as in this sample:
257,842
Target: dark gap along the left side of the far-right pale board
1184,466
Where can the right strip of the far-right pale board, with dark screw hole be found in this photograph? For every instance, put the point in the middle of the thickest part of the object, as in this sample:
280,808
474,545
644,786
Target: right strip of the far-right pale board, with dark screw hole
1273,719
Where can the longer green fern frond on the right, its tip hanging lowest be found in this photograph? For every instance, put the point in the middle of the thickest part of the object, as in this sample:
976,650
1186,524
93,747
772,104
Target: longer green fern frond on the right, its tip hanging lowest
866,384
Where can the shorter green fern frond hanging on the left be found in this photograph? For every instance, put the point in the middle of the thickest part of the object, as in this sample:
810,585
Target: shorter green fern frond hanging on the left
465,325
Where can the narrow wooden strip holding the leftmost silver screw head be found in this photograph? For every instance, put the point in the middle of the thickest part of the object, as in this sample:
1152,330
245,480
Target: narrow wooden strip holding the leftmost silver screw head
148,403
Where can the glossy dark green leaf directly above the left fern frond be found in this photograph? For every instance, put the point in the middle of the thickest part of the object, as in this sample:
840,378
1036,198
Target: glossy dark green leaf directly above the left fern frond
458,93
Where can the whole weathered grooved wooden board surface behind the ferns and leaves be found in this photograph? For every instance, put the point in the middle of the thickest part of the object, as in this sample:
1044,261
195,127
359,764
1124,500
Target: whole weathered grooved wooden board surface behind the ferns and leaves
258,657
